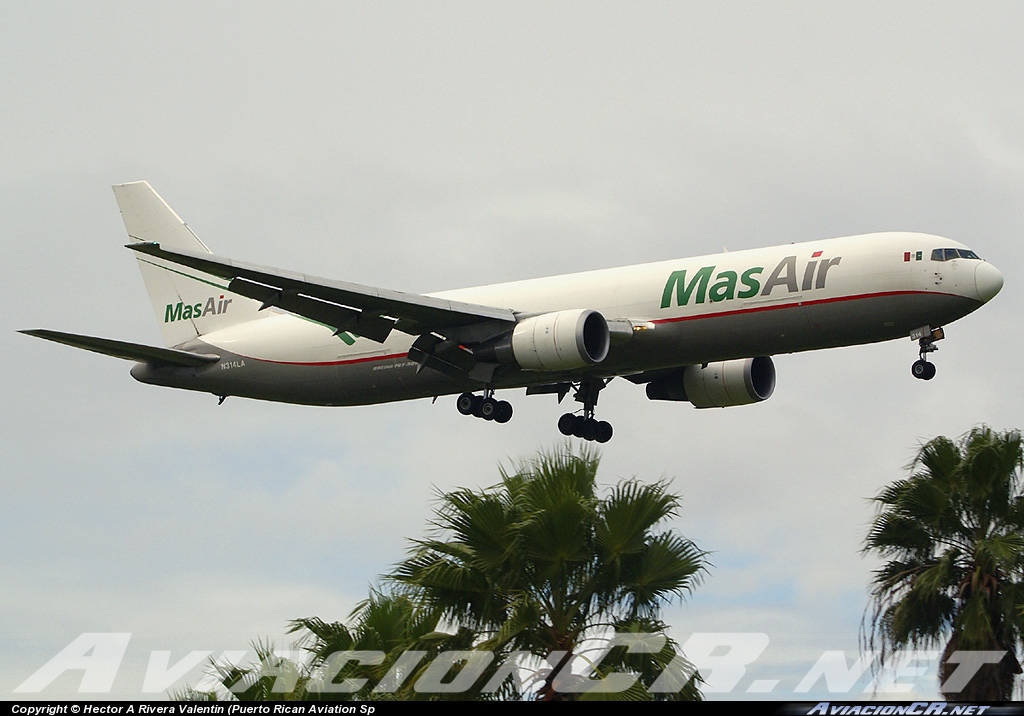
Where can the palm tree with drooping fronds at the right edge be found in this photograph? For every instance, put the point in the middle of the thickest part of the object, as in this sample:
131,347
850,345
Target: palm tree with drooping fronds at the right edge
954,535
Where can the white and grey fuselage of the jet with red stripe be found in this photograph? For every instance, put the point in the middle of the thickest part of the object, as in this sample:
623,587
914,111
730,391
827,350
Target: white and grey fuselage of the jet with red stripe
687,312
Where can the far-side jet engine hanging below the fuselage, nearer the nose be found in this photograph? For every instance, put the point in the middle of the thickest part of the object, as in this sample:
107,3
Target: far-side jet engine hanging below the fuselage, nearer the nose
718,385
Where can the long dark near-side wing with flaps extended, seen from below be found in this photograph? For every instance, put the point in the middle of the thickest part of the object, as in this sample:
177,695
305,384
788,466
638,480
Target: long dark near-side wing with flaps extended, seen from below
364,311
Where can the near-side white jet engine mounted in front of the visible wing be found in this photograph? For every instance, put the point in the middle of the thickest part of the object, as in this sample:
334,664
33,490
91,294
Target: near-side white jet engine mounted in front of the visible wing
560,342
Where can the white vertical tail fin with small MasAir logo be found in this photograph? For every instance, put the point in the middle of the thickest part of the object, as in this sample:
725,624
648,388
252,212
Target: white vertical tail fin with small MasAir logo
188,304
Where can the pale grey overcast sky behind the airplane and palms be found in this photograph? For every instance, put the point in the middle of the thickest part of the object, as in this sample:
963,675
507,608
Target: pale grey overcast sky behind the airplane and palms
430,146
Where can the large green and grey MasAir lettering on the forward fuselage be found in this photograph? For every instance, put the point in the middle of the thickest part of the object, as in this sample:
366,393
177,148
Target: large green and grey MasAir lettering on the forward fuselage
724,288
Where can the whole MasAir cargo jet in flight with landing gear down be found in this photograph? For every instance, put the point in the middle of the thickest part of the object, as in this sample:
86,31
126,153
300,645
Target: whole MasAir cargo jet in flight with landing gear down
701,330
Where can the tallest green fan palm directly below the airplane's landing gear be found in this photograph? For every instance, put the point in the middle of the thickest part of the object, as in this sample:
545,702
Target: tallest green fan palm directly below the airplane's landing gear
541,563
